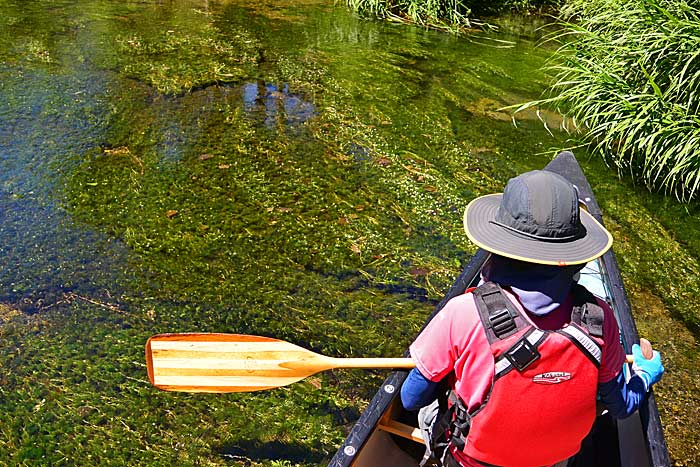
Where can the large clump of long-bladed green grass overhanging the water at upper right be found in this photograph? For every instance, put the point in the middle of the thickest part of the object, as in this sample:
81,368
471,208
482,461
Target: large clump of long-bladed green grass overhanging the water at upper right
628,74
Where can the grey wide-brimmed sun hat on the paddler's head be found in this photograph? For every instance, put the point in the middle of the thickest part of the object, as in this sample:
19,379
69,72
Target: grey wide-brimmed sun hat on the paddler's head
536,219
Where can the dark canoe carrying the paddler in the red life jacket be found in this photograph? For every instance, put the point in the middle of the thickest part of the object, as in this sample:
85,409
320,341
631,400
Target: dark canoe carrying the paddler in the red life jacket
386,435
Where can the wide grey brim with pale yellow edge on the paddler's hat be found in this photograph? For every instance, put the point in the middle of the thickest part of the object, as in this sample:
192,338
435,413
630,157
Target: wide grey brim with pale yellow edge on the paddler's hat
501,241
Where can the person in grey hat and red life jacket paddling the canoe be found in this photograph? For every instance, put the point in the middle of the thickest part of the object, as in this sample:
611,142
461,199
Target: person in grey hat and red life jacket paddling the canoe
524,356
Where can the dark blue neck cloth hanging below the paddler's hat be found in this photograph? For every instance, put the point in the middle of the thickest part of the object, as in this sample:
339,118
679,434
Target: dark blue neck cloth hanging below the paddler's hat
540,288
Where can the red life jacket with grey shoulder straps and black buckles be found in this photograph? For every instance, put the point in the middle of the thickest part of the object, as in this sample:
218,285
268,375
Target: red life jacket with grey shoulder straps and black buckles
542,402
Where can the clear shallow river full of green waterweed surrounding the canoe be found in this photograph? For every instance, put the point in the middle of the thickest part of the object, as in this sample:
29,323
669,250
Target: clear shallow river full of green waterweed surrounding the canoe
277,168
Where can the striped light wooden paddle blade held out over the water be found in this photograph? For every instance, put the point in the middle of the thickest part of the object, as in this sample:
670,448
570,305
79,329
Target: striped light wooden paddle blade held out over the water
210,362
